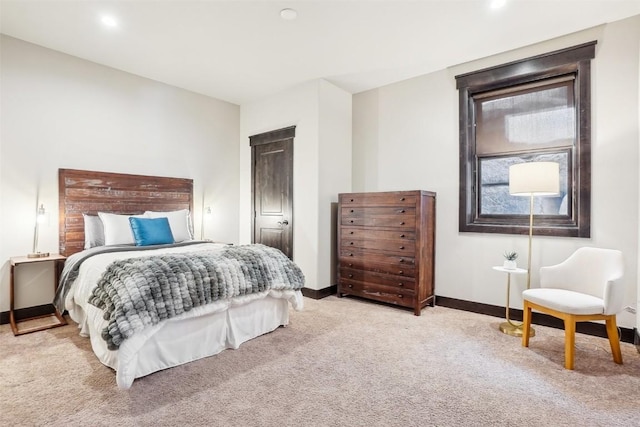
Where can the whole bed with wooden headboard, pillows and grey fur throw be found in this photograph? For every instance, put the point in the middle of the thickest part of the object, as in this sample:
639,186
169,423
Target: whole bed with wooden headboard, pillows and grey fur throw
231,293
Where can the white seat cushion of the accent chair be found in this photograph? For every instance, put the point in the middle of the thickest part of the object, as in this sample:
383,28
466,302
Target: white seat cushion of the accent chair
565,301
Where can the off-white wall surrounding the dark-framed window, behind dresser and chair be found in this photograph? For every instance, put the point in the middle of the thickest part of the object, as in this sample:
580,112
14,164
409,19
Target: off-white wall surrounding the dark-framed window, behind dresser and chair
405,137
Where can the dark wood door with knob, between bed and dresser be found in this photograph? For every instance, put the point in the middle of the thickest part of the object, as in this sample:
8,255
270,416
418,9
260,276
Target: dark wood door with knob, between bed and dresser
272,174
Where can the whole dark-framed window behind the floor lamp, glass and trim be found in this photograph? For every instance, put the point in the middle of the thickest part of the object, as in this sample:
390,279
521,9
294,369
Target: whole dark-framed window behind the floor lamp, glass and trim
536,109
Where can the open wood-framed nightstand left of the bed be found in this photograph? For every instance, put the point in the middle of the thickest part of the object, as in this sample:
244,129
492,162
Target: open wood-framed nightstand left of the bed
56,317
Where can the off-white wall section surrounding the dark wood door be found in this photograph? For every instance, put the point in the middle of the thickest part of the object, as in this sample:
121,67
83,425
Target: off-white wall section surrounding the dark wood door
322,157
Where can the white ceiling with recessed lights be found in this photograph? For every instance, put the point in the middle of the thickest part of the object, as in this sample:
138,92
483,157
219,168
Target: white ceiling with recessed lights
240,51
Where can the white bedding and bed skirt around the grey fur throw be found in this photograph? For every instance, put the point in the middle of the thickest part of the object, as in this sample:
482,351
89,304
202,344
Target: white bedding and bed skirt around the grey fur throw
203,331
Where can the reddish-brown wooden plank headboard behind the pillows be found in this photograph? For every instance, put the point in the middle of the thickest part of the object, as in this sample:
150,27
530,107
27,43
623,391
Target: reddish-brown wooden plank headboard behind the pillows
92,192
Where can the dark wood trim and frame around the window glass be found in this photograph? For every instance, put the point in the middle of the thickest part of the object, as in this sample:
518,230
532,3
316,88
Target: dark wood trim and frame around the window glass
574,61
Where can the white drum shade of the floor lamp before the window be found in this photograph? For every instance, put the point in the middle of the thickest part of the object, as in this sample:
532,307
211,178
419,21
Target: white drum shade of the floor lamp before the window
534,178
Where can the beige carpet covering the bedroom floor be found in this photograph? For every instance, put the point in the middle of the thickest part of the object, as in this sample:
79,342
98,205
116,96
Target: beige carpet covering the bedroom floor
341,362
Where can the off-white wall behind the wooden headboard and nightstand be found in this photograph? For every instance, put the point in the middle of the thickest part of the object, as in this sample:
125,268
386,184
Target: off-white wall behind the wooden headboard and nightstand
60,111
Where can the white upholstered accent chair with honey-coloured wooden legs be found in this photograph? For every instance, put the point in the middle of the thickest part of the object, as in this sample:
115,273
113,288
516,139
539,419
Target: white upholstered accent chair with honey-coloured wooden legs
586,286
